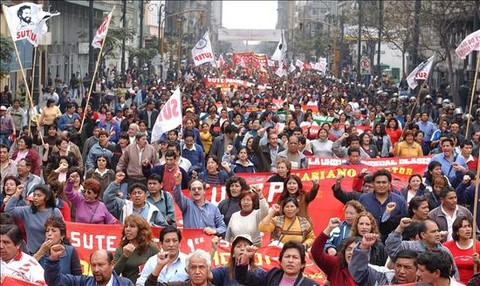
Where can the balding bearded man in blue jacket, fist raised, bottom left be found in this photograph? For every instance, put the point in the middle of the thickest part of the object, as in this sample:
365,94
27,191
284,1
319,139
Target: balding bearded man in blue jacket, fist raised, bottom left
101,263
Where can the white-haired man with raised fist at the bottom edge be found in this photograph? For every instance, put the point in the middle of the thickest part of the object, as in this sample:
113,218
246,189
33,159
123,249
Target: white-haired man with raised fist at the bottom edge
197,265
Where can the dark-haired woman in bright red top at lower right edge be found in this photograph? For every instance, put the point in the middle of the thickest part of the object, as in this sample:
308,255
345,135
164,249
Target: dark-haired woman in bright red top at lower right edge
461,247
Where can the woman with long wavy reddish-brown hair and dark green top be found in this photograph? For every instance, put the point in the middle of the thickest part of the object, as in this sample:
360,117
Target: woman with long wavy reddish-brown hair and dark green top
136,247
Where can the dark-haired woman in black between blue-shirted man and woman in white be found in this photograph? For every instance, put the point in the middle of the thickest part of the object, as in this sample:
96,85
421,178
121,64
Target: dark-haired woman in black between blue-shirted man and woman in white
234,187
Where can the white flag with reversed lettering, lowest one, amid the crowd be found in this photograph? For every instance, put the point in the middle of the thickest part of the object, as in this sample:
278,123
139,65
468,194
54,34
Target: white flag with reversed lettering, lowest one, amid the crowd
170,117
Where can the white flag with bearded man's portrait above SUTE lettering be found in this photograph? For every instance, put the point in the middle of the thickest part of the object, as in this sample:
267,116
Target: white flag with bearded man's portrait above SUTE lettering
27,21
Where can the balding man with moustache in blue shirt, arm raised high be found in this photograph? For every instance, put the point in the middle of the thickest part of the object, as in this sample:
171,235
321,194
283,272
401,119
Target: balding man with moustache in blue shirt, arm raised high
197,212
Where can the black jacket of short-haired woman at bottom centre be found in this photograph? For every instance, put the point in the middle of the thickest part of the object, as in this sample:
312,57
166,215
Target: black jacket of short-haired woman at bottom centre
270,278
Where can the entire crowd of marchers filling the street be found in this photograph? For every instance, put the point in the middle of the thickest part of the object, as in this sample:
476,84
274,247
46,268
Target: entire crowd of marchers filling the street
96,164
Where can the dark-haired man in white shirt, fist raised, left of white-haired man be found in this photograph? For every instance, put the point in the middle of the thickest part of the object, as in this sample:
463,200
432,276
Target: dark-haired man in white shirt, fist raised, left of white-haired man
170,238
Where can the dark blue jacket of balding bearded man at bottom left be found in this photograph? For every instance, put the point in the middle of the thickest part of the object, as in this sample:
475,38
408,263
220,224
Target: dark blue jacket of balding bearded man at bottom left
53,277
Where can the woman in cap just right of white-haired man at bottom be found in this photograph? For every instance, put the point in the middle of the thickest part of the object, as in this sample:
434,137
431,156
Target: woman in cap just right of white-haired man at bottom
225,275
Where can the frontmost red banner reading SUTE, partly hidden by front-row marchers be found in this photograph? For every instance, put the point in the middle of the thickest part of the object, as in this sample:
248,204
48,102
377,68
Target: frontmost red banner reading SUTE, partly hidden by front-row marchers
87,238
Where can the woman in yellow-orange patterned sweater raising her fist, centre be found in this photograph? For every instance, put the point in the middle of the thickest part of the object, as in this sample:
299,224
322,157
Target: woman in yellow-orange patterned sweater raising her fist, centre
288,226
